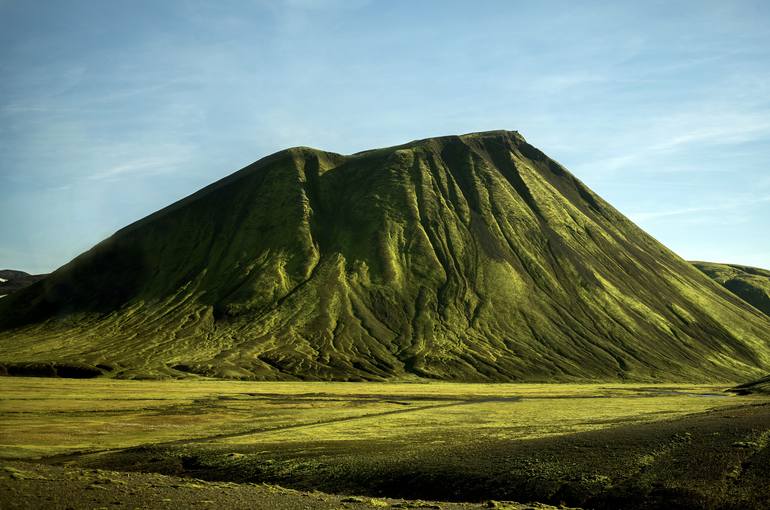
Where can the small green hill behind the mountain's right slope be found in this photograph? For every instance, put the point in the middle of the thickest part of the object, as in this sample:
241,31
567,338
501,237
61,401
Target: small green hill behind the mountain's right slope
749,283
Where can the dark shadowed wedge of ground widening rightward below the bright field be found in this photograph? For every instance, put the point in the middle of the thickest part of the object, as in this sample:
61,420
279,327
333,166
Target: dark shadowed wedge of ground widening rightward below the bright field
718,459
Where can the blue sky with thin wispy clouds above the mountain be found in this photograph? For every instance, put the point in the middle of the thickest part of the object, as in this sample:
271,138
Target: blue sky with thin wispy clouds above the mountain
110,110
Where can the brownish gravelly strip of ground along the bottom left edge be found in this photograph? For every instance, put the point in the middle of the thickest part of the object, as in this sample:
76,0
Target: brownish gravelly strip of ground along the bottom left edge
28,486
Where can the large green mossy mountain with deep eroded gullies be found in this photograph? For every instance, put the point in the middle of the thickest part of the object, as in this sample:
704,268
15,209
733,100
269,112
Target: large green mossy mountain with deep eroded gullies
471,257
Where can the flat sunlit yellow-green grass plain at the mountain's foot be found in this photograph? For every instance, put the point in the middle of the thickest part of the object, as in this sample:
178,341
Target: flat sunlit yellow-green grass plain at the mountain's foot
41,416
